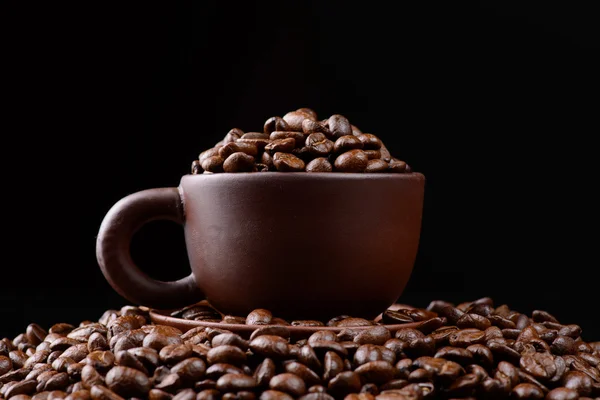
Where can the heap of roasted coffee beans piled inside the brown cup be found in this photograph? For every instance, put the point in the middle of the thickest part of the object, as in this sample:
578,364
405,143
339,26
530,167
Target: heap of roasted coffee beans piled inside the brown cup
300,142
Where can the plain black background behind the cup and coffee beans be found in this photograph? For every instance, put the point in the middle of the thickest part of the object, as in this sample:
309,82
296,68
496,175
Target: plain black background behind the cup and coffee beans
492,101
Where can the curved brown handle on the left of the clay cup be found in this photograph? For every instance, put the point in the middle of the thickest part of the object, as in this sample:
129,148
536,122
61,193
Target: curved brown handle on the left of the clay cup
113,250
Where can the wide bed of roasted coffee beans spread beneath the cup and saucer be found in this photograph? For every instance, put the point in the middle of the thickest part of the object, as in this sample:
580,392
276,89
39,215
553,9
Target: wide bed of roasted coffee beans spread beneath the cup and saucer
472,350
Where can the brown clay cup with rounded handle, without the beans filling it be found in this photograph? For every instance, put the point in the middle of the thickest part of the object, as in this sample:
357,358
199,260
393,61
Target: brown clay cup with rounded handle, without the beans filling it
303,245
